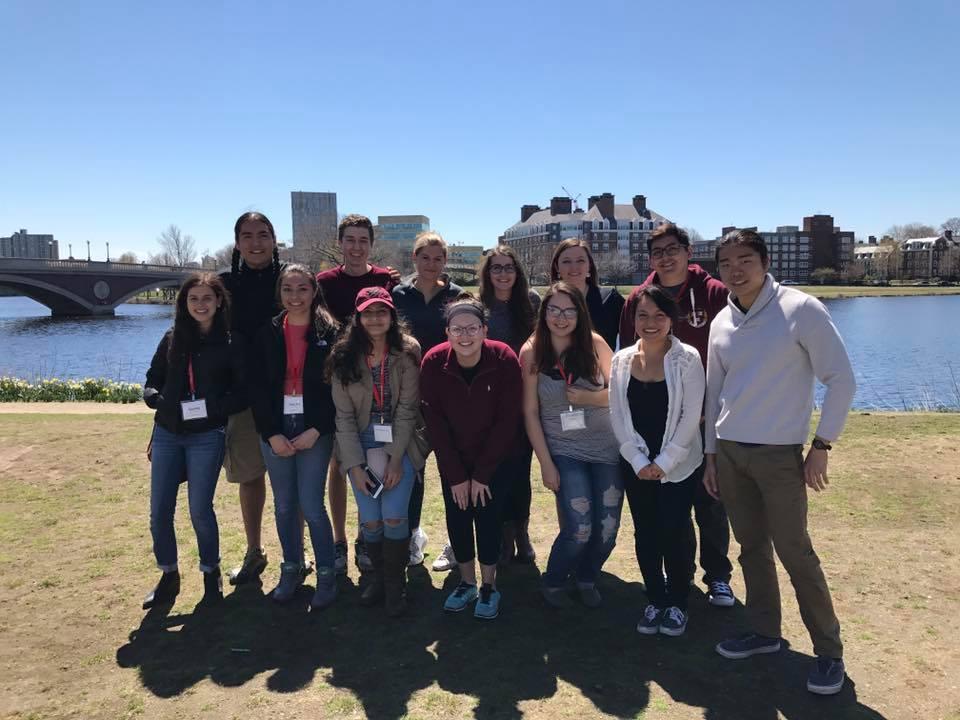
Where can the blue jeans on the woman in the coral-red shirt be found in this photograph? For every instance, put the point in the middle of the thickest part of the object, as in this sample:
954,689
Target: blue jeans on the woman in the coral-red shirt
298,484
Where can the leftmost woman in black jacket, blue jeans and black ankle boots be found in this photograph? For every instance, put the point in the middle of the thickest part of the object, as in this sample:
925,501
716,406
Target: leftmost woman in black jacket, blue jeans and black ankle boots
195,382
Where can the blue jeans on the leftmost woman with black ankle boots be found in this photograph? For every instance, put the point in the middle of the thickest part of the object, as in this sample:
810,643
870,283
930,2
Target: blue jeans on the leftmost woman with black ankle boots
199,456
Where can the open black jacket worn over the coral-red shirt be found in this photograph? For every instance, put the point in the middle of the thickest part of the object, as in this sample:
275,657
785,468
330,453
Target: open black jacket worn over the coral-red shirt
268,375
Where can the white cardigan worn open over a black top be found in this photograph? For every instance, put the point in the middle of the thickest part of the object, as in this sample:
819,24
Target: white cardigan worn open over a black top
681,450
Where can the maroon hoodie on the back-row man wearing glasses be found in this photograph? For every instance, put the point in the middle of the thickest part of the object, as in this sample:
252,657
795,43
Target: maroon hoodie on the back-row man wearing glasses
693,327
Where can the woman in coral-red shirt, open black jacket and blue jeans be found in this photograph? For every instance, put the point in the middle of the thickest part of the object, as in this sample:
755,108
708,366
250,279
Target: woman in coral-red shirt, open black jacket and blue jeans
295,417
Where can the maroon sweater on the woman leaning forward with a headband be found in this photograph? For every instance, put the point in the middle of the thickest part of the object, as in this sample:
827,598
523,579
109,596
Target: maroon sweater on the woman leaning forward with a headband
474,427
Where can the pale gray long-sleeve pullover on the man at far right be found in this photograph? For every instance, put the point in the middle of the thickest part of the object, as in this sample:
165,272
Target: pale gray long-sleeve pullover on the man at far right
761,367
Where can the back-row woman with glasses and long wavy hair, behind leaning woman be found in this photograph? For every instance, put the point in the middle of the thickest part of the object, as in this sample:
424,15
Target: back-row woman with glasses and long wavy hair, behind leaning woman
512,306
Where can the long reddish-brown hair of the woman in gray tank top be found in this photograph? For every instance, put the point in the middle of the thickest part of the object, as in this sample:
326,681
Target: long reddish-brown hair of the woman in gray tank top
580,359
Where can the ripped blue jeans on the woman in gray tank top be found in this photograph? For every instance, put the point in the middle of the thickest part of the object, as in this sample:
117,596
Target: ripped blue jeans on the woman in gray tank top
590,498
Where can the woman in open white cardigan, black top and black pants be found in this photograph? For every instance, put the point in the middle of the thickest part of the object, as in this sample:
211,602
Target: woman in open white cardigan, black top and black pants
656,395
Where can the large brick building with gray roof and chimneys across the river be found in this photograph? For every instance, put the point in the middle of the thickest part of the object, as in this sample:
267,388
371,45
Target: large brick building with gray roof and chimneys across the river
616,233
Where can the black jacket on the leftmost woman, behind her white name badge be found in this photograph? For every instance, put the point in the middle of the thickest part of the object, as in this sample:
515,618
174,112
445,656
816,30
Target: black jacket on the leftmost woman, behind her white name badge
218,375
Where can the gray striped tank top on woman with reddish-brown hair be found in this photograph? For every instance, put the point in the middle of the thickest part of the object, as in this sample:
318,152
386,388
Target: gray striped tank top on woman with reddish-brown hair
595,443
